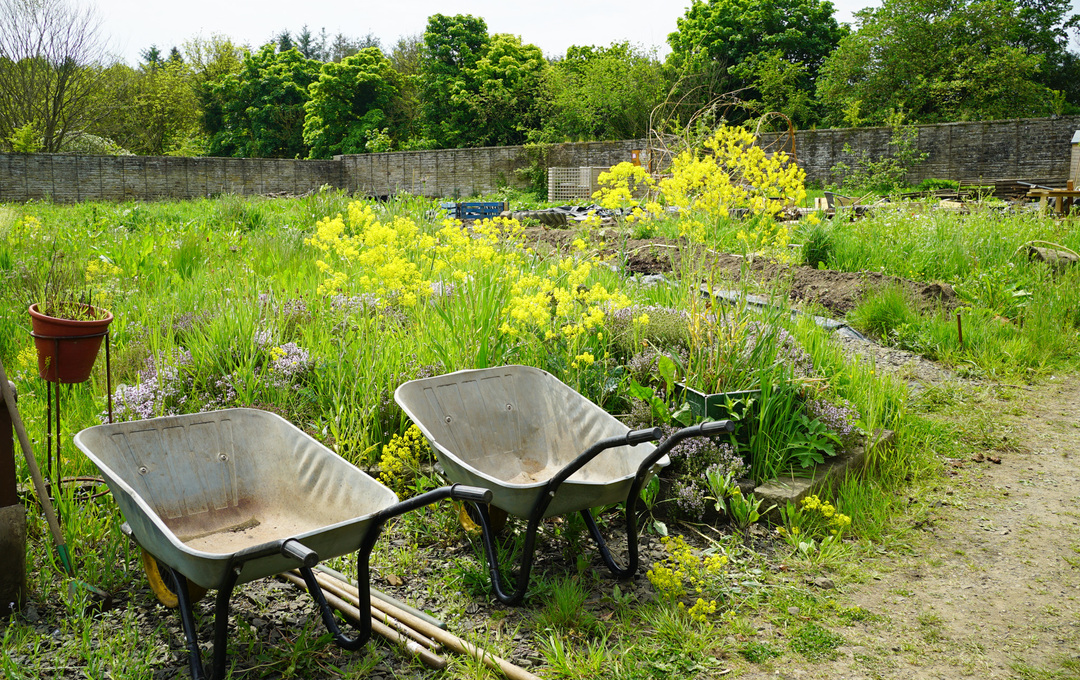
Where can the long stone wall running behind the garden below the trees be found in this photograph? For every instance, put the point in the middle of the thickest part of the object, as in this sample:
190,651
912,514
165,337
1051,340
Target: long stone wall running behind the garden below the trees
1018,149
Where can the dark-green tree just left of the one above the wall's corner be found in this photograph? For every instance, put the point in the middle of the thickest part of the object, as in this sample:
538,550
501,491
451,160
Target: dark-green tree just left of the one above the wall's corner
263,106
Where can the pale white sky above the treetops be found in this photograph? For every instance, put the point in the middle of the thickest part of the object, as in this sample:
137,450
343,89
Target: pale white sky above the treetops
553,25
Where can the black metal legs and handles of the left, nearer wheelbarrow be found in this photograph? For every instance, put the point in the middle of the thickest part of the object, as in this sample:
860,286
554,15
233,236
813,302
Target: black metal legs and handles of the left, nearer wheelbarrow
307,560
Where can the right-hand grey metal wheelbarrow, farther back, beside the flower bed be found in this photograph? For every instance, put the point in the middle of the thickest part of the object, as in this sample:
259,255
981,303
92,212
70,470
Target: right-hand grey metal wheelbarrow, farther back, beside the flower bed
542,450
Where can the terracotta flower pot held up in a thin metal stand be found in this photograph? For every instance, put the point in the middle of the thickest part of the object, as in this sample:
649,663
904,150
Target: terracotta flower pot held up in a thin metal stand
67,348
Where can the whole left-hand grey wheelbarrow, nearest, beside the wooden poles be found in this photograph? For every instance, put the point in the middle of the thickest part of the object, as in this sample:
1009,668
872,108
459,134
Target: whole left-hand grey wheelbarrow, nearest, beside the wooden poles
233,496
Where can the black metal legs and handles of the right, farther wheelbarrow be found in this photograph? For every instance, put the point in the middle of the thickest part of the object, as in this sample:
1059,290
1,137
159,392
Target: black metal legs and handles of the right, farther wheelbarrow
632,438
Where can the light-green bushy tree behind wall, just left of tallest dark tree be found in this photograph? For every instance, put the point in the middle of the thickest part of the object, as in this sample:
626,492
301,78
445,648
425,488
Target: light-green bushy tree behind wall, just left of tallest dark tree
602,93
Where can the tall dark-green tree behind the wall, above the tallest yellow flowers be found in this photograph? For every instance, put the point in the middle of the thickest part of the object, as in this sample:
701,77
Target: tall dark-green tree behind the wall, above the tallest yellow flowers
723,46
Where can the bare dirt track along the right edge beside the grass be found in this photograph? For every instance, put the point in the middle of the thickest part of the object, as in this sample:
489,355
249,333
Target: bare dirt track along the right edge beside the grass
991,588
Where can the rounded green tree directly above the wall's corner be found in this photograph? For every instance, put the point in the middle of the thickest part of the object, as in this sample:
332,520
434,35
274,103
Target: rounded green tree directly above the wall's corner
348,103
